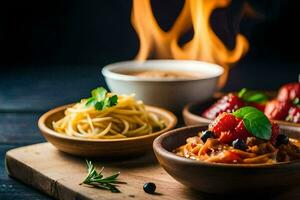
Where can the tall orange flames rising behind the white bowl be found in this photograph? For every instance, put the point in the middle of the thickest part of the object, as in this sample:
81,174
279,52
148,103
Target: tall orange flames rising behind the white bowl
205,44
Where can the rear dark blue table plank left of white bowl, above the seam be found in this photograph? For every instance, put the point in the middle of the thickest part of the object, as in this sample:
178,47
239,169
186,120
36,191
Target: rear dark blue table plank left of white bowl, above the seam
38,88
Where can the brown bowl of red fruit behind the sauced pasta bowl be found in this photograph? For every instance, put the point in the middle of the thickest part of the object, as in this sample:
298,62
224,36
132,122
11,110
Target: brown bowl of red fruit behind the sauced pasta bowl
192,115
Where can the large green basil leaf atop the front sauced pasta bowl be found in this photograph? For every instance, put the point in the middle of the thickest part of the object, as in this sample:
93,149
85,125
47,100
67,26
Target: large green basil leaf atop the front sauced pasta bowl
255,122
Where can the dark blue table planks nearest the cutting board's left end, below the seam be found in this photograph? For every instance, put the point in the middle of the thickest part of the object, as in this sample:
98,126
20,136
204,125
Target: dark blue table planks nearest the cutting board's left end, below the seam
17,129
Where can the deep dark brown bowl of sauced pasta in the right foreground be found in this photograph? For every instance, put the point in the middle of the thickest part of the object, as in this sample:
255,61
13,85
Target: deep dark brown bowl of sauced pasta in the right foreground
222,178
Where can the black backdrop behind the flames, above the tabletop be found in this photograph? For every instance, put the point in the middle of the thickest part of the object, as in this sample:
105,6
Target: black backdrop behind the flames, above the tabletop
74,32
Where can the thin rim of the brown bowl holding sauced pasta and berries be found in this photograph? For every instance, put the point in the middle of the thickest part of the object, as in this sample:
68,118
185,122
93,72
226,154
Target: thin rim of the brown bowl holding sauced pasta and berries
159,149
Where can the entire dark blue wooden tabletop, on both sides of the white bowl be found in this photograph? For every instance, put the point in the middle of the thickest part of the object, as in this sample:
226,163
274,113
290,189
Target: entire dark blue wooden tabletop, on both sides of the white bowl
28,91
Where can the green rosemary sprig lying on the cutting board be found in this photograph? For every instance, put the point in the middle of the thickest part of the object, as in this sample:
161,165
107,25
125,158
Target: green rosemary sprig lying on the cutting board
96,179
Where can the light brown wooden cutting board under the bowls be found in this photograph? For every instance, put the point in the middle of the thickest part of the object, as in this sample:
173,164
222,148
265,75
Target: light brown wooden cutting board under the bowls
58,175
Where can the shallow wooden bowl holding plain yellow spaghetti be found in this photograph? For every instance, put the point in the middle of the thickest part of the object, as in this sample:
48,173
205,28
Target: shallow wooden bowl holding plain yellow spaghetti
101,147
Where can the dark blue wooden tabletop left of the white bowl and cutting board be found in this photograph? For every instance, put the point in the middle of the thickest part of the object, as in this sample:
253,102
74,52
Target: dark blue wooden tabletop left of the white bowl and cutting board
25,93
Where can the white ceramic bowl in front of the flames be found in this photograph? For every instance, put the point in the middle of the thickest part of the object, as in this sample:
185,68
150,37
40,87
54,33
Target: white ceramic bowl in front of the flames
169,93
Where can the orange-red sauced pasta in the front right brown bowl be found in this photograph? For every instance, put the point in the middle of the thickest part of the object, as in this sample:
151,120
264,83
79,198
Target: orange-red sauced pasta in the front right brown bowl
258,151
